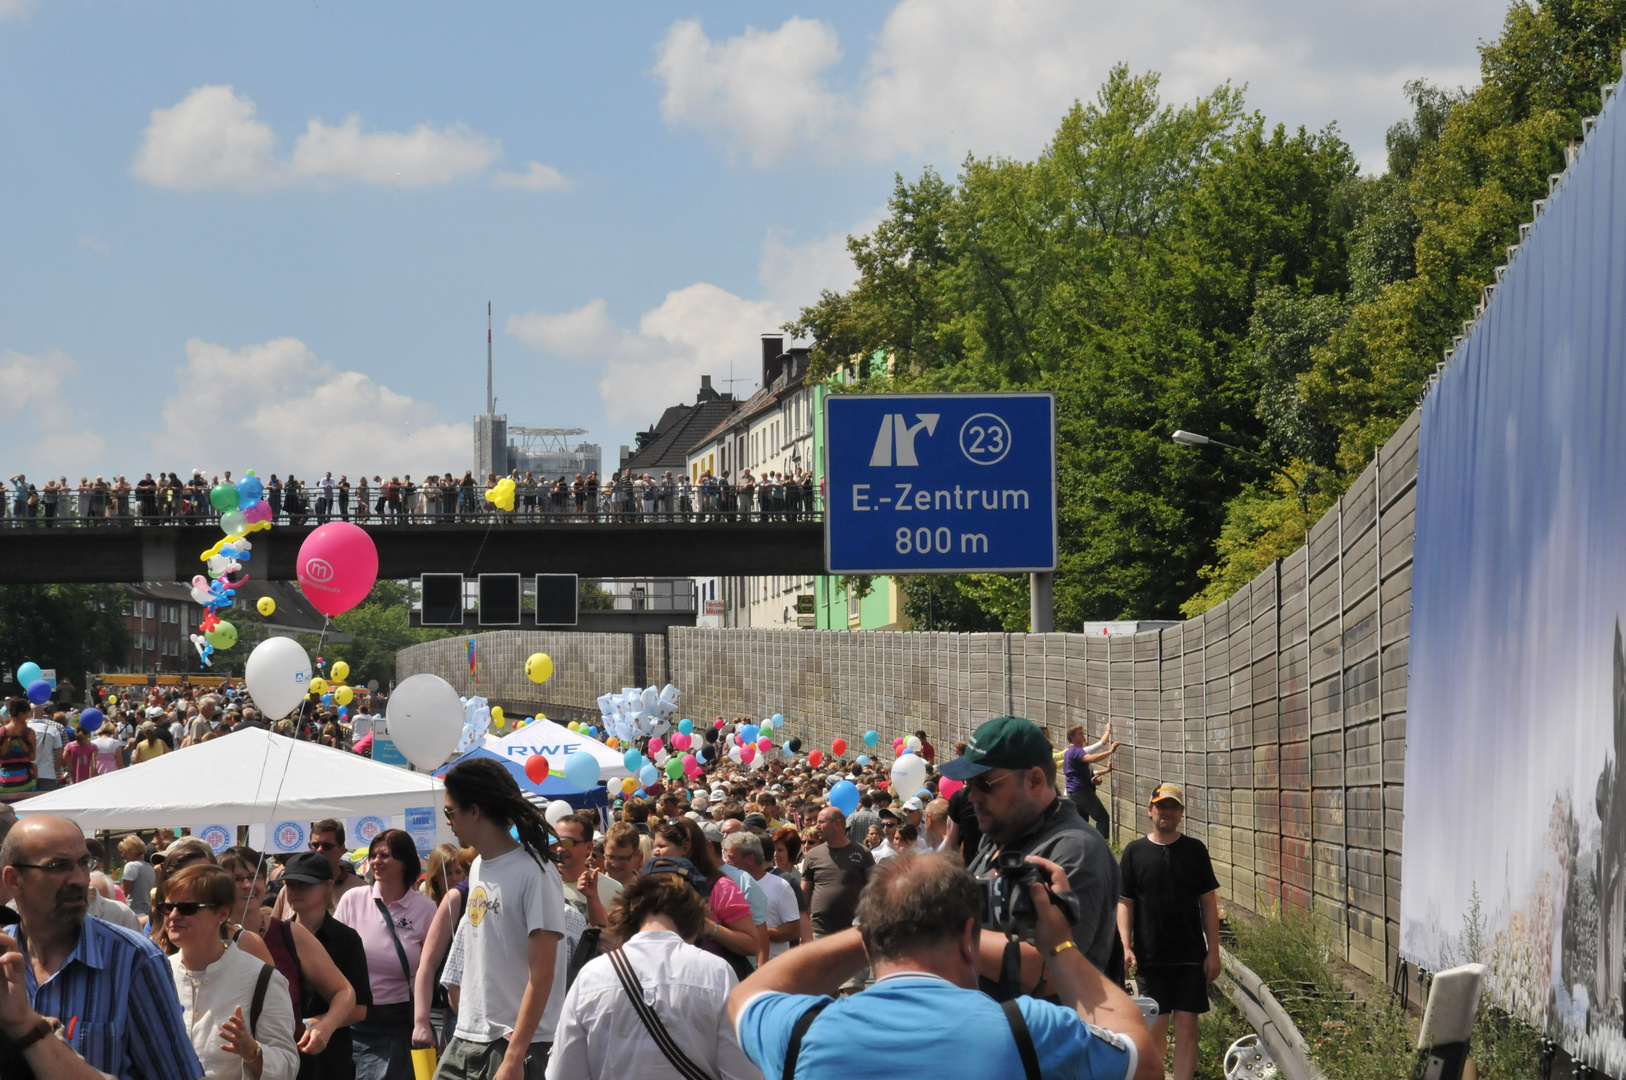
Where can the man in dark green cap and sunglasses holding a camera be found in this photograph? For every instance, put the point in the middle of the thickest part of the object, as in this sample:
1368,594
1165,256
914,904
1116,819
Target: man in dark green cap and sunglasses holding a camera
1011,780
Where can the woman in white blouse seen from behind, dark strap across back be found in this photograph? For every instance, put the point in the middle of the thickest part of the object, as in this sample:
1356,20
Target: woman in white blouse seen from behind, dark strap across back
601,1034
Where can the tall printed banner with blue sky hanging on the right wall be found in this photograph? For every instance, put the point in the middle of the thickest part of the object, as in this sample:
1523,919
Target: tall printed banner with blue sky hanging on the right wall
1516,793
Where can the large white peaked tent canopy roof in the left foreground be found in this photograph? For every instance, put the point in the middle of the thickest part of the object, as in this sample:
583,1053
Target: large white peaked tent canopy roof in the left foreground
246,778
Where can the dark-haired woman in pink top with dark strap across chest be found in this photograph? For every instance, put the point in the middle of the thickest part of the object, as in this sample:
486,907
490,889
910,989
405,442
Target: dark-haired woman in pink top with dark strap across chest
393,920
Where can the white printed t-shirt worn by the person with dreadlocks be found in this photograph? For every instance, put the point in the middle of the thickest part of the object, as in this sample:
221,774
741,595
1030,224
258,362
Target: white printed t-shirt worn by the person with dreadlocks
508,899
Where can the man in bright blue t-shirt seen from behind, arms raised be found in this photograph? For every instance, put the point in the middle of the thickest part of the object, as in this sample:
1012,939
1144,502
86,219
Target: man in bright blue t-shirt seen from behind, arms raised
918,926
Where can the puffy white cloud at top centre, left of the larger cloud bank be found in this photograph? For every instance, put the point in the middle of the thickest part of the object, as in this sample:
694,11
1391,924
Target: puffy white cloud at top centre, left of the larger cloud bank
760,94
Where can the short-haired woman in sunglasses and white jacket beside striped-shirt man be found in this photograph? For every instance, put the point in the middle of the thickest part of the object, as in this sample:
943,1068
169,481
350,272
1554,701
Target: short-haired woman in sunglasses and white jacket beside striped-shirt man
235,1008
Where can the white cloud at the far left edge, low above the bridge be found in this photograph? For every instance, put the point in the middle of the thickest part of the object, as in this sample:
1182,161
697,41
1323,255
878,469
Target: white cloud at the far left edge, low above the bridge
45,429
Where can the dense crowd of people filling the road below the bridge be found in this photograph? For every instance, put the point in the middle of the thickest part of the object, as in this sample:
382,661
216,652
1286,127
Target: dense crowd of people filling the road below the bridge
728,925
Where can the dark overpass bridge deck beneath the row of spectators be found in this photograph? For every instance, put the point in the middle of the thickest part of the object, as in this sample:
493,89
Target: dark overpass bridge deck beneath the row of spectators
129,552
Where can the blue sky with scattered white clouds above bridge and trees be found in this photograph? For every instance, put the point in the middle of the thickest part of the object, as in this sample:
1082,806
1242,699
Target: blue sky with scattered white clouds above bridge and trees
264,235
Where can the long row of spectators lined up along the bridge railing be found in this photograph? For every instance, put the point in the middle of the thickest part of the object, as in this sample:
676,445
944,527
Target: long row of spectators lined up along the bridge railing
445,499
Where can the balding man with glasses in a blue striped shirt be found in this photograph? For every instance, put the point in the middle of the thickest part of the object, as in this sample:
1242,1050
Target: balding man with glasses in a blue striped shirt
110,988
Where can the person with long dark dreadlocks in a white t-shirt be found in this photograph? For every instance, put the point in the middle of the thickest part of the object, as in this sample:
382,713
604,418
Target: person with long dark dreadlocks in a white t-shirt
515,962
